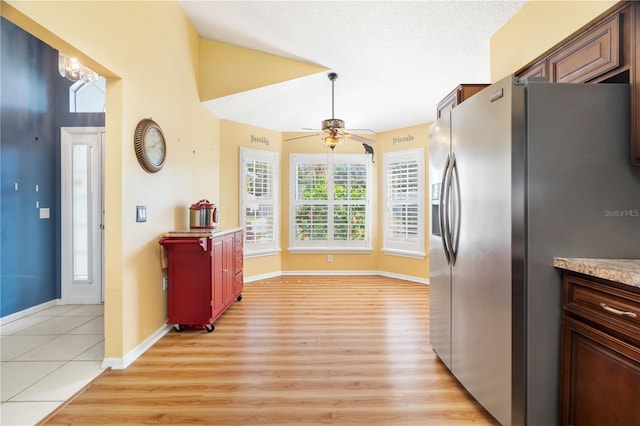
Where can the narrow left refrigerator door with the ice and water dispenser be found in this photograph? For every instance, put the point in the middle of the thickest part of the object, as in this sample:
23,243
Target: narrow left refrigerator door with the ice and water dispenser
439,262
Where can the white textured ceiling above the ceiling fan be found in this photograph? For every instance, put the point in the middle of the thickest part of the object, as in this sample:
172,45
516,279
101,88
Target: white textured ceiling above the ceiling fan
395,59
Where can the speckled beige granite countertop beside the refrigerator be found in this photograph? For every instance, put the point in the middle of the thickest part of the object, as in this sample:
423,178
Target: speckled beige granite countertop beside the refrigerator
625,271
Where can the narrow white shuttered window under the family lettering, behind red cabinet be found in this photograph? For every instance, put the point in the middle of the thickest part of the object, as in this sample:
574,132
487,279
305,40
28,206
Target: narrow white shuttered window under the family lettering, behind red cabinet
259,201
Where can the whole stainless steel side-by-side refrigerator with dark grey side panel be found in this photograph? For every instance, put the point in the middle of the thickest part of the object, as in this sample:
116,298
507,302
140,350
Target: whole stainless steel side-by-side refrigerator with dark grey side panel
520,173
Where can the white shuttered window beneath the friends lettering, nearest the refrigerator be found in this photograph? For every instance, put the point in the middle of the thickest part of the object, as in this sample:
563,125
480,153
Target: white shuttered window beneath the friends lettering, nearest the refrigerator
403,186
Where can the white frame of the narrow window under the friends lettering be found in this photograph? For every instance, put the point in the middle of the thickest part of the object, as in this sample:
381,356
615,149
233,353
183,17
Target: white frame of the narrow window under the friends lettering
398,246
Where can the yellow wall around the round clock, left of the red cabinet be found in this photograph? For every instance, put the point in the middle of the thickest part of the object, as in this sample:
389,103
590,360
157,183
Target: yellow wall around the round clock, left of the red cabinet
151,73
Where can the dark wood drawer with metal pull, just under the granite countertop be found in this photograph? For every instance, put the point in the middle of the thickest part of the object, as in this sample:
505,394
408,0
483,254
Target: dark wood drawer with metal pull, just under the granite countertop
609,306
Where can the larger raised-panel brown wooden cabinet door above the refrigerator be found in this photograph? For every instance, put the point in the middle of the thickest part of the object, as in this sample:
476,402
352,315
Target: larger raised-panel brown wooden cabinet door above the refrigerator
594,53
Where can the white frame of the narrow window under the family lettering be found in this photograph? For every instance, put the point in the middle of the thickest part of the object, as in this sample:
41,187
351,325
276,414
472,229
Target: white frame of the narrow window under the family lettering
264,248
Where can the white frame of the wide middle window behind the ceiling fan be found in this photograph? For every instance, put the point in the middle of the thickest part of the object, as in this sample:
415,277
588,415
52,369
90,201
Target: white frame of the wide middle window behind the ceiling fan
330,245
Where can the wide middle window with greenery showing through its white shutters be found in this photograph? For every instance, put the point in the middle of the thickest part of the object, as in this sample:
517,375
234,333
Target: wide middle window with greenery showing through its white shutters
330,206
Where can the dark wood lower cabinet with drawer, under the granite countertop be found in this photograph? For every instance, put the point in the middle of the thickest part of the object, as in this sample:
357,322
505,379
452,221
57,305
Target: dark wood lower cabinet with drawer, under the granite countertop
600,352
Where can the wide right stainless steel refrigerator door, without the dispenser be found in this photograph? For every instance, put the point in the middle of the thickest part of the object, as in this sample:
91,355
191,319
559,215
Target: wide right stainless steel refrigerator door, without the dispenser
481,279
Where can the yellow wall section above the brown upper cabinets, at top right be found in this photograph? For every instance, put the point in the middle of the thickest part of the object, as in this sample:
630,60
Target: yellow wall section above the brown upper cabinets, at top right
539,26
